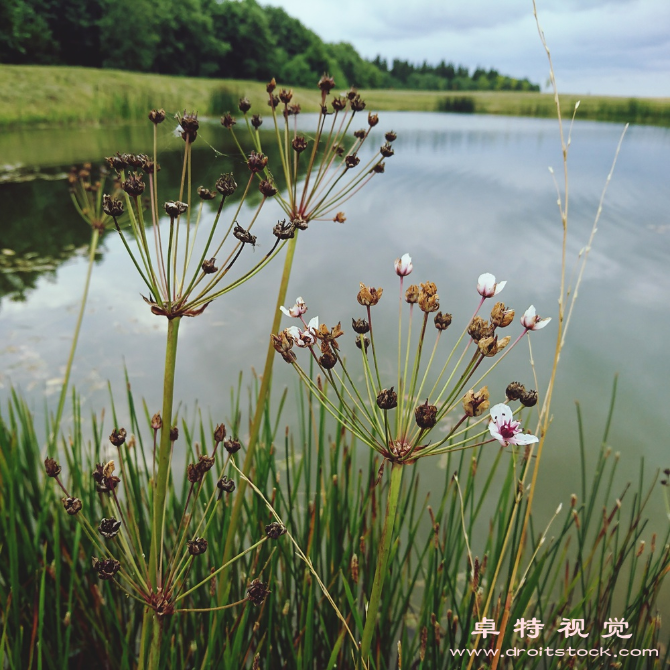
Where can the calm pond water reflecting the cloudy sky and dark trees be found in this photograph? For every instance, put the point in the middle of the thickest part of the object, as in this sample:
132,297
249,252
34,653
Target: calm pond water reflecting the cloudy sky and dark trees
463,195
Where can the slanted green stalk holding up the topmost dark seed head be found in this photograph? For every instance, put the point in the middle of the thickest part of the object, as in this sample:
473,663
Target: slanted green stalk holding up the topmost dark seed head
228,552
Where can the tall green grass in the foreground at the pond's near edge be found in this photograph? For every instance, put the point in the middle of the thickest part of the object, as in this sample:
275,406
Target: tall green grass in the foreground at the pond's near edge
55,613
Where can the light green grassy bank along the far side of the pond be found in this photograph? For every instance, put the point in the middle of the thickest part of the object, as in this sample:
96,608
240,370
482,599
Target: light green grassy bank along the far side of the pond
40,95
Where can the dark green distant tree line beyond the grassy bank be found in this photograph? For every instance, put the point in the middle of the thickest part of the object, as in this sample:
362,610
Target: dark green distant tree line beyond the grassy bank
238,39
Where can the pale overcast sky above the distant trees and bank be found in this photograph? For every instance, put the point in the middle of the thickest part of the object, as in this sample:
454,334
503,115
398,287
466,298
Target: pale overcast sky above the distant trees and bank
612,47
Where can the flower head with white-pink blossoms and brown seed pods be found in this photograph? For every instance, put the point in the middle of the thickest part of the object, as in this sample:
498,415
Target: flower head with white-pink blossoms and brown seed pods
398,417
